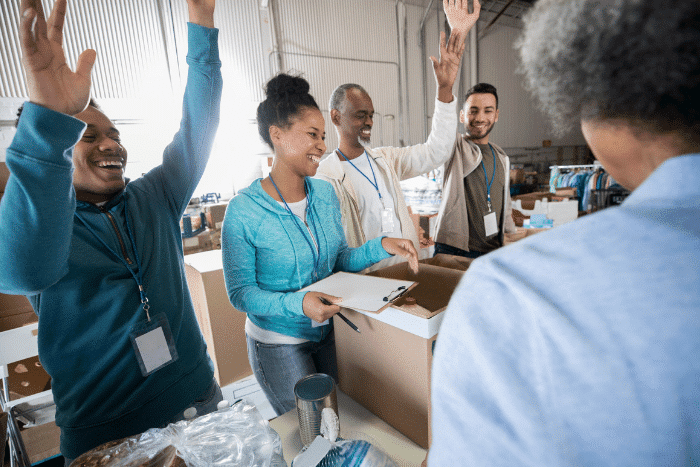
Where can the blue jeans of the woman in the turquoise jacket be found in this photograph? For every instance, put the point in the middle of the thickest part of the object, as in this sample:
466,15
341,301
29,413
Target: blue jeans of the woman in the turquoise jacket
278,367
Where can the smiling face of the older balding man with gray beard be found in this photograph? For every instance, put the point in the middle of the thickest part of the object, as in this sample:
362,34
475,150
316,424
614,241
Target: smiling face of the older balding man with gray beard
354,120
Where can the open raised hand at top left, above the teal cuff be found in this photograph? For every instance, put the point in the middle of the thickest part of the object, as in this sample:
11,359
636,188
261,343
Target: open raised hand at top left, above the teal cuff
51,82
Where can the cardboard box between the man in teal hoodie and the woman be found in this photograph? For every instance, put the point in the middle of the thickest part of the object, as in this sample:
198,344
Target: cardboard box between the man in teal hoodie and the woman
222,325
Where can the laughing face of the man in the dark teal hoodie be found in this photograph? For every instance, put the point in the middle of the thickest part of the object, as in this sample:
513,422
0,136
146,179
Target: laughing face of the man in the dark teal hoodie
99,159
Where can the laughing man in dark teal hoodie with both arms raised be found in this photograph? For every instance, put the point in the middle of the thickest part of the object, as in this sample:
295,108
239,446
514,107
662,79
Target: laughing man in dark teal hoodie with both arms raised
99,257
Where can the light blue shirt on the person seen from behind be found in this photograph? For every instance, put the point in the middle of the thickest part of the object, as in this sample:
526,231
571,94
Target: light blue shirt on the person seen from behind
580,346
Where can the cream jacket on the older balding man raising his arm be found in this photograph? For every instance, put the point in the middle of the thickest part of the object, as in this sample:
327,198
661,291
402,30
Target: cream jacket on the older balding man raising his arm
395,164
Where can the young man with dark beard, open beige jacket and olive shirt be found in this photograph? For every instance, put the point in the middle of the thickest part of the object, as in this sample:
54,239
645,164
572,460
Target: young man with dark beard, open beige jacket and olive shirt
476,209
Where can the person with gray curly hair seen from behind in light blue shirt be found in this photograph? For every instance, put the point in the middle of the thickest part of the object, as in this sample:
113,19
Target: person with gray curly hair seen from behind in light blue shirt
580,346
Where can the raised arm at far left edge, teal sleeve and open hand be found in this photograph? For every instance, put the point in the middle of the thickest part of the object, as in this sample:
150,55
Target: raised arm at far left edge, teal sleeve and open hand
36,212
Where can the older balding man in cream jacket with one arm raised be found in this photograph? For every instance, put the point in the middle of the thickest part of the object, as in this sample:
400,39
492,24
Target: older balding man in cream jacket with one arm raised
367,181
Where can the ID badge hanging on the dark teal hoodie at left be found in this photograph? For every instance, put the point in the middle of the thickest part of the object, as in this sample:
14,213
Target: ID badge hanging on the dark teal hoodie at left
153,344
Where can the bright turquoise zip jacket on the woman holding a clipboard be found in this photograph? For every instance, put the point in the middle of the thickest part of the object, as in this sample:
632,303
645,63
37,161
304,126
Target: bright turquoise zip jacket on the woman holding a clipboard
267,259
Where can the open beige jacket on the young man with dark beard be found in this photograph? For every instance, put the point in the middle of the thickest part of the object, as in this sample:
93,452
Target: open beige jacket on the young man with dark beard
453,219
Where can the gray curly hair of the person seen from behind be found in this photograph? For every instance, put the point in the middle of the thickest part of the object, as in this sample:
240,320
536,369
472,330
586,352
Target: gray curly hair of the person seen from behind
632,60
